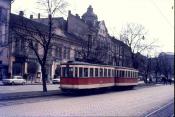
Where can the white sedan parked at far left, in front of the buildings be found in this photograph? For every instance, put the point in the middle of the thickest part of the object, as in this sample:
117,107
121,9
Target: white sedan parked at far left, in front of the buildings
14,80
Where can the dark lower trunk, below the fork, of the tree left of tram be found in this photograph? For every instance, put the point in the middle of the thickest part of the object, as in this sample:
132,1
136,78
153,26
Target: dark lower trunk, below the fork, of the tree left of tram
44,77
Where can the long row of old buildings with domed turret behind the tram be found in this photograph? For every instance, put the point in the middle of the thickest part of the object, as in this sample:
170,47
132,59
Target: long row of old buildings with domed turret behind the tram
77,38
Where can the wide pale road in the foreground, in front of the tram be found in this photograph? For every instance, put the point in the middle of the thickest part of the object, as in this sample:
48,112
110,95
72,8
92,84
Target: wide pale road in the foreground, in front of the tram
139,102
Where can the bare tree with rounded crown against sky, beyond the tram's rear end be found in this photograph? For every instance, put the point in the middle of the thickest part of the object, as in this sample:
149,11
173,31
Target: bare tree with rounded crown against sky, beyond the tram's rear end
134,36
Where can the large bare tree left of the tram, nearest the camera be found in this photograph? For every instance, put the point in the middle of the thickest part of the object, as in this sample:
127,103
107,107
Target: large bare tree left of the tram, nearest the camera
39,39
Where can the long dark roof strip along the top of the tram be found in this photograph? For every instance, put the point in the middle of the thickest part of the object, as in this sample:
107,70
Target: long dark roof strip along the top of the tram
90,64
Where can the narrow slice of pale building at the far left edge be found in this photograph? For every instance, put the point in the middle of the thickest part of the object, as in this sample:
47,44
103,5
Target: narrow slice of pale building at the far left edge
5,6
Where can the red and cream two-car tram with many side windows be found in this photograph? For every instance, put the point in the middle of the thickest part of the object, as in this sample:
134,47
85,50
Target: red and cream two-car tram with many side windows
80,75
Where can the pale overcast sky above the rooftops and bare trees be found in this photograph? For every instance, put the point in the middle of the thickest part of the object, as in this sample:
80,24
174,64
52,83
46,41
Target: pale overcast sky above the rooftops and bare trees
157,16
